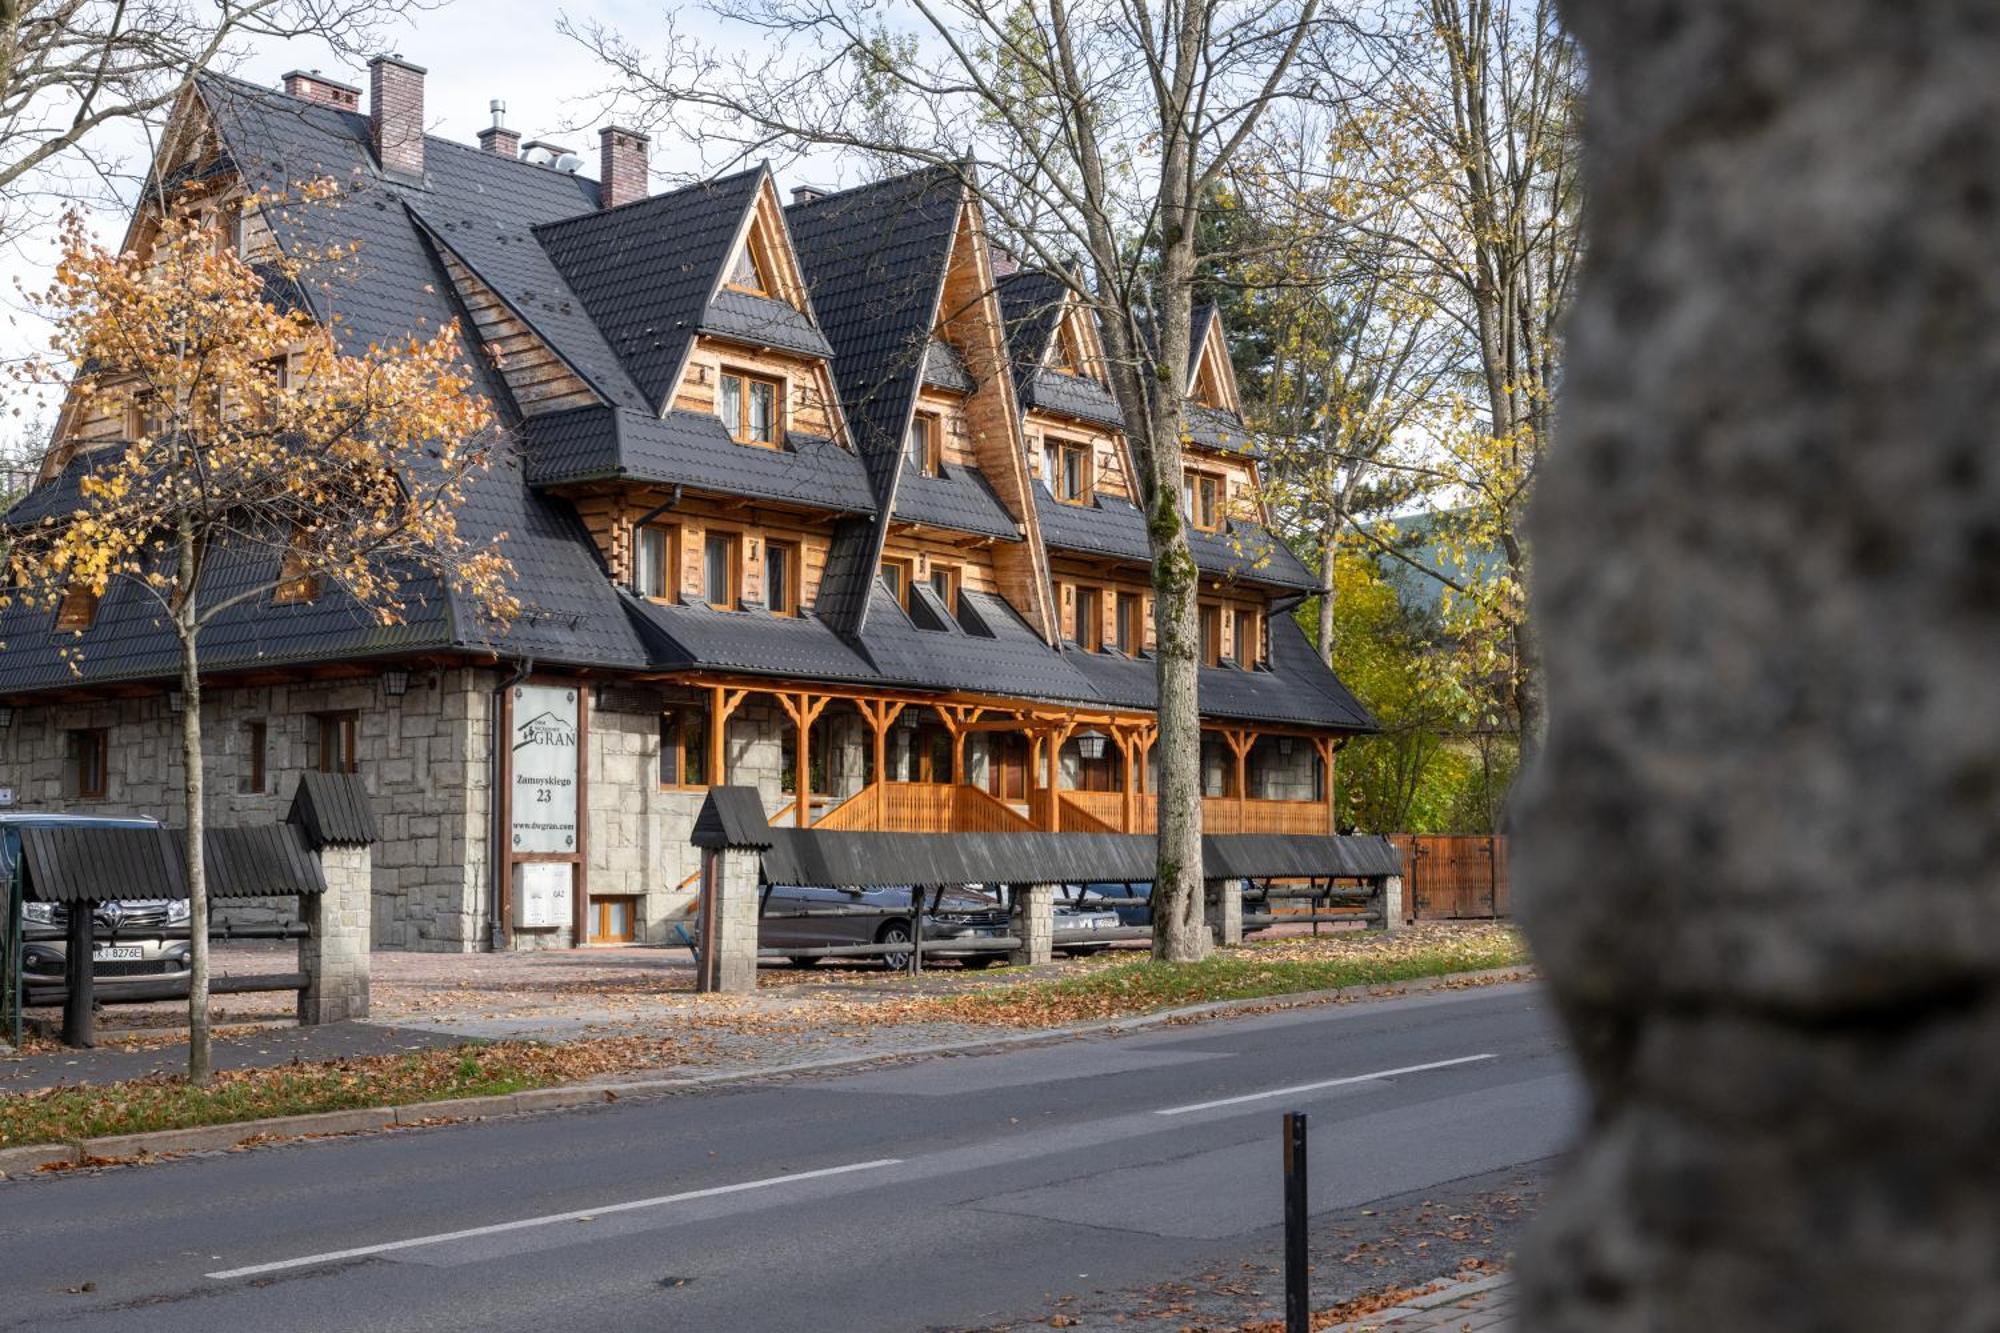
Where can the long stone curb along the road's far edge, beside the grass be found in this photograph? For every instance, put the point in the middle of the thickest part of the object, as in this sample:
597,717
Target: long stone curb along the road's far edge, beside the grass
215,1138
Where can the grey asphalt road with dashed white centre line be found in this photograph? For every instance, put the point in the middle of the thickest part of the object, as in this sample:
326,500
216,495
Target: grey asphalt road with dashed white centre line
955,1192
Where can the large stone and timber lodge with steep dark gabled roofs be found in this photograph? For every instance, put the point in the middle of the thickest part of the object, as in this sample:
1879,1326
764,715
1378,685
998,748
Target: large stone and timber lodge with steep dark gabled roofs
809,497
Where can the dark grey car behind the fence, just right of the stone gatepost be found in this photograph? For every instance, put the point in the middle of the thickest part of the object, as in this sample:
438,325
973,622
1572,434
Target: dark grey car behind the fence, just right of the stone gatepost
819,918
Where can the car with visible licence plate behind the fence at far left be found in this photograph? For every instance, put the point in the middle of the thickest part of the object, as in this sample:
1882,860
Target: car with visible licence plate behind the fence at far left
125,948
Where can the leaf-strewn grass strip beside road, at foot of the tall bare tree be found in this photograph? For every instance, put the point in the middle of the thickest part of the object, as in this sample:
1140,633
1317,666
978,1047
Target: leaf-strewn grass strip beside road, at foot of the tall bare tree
1261,970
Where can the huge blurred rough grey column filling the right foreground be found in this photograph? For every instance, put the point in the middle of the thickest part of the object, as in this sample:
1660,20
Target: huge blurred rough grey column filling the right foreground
1757,862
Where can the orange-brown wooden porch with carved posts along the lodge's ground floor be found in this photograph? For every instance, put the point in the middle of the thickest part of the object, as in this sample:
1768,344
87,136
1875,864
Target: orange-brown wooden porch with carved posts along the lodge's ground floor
1109,752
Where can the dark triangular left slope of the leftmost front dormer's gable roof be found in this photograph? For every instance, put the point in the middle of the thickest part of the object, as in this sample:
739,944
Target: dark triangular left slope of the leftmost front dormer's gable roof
647,271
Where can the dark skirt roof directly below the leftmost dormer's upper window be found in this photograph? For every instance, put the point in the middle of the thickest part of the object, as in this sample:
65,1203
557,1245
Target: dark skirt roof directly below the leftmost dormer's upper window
697,451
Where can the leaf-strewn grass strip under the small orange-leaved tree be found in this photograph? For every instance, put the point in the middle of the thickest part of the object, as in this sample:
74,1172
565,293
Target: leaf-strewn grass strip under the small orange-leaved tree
69,1114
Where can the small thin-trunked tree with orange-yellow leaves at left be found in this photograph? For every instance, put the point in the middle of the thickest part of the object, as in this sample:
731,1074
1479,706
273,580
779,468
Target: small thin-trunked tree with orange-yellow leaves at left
259,461
